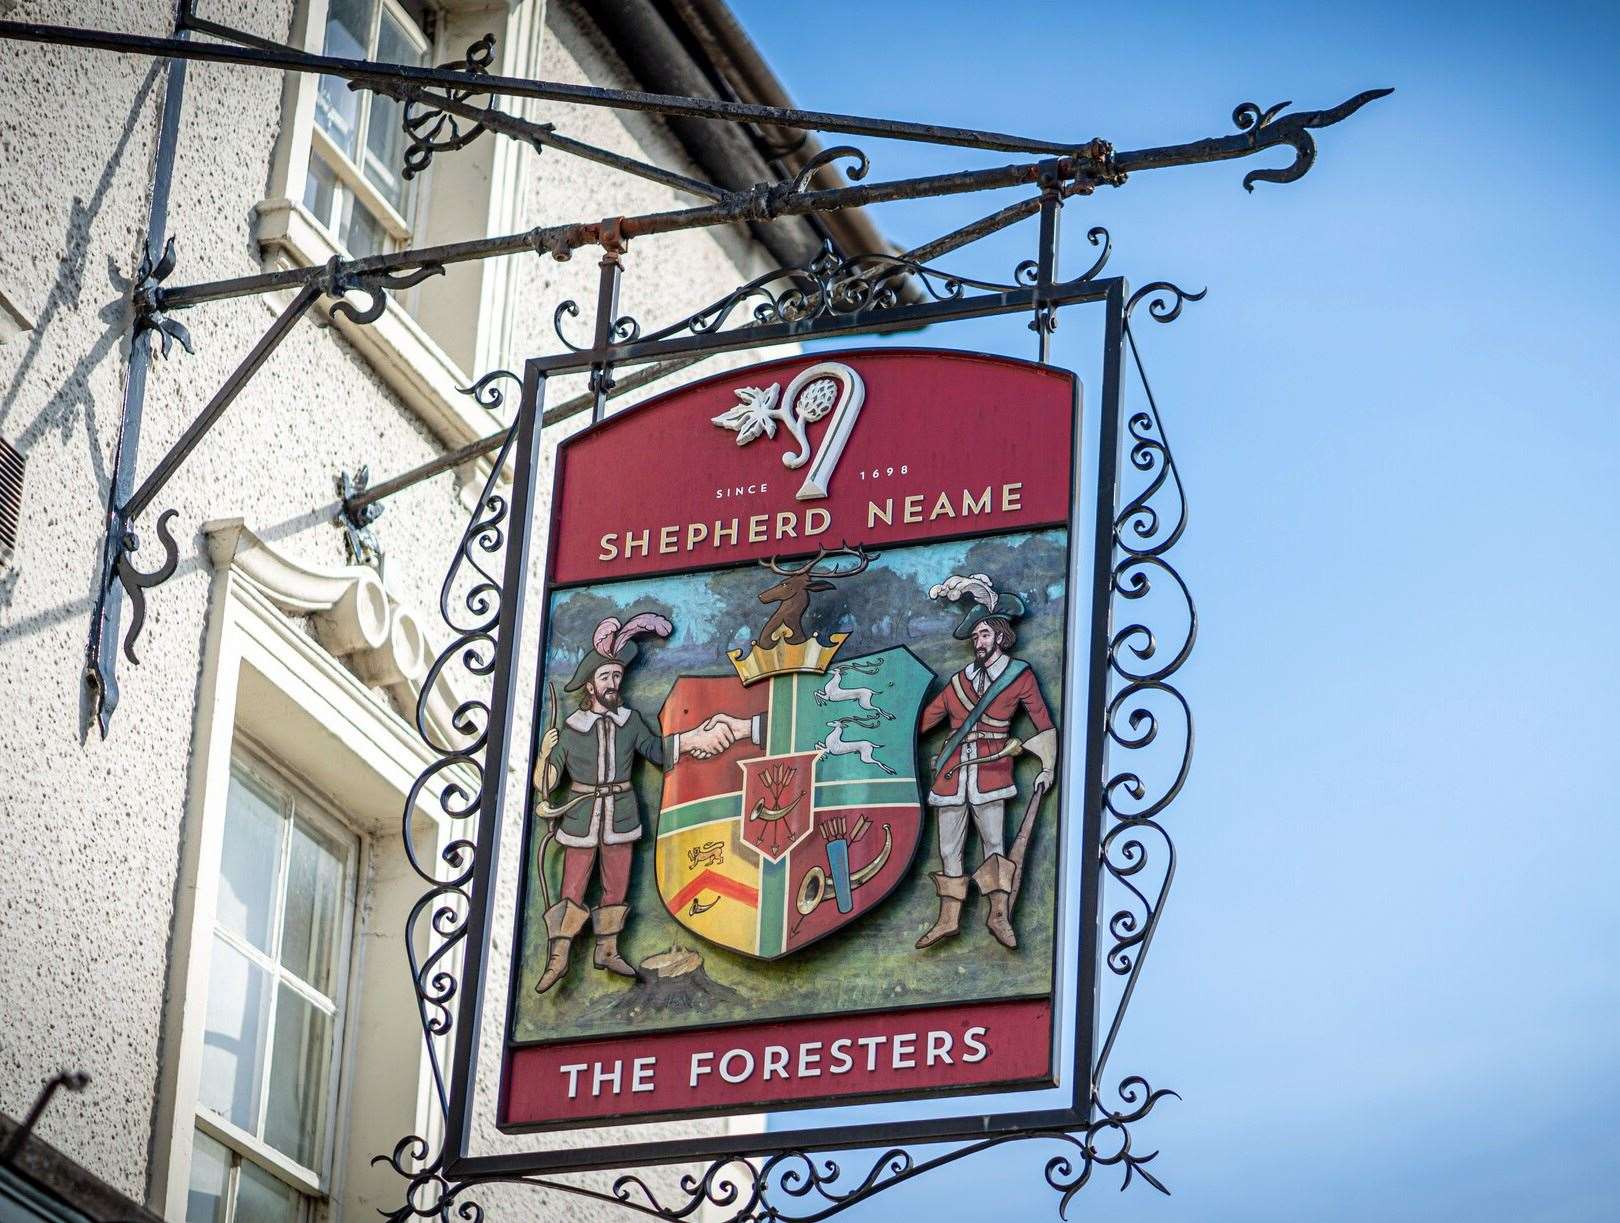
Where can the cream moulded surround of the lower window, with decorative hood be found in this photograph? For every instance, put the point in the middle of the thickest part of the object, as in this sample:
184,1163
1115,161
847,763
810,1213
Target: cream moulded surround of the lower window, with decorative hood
271,686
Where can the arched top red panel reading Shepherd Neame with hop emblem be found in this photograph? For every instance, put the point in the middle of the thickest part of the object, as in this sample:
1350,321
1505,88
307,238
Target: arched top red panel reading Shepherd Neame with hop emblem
981,446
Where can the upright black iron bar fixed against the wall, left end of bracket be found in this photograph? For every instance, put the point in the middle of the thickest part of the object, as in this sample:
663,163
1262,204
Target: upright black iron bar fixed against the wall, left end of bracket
101,680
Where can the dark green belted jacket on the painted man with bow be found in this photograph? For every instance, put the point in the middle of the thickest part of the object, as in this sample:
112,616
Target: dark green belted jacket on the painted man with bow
595,754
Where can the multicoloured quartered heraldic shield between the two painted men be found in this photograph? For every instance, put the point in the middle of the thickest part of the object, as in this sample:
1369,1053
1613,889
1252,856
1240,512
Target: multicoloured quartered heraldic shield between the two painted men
809,820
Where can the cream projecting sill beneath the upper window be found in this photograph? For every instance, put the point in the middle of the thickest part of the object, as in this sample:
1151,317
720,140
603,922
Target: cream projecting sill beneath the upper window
396,346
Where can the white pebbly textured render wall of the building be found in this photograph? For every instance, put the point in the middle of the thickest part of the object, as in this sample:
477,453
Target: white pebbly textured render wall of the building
95,829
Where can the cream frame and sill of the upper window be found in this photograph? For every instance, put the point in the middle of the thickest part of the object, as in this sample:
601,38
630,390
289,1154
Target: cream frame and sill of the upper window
487,182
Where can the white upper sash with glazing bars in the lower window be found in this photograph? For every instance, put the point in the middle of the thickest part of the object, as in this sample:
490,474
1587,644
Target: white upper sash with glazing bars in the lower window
313,809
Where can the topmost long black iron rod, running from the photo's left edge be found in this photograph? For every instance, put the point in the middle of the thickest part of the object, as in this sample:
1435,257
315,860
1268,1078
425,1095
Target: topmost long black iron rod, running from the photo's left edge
547,92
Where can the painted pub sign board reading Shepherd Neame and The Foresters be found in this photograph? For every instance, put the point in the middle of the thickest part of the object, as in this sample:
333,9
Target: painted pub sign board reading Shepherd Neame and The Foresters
795,835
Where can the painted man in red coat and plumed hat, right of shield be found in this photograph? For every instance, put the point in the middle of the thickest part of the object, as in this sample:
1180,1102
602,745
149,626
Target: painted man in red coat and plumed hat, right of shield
974,770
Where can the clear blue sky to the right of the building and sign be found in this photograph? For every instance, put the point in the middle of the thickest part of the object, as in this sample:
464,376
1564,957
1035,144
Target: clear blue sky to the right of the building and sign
1388,984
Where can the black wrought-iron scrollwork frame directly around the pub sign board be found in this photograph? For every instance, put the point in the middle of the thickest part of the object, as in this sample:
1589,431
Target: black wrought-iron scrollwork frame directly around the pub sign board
1125,668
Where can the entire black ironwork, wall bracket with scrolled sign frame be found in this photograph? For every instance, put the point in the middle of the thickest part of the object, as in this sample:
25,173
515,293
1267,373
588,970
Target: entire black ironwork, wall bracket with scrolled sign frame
1132,699
